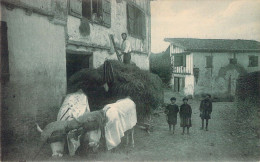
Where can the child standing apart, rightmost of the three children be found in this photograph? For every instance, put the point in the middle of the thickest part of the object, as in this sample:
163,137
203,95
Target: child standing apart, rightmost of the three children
205,110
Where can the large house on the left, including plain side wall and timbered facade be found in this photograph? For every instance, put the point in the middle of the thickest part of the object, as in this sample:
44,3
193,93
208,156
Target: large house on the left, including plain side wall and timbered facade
43,42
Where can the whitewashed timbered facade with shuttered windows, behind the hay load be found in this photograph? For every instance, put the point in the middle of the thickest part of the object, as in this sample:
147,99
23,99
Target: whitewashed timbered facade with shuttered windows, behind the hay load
88,29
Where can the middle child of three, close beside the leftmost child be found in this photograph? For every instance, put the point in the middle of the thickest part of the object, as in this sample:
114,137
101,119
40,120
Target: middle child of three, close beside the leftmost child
185,115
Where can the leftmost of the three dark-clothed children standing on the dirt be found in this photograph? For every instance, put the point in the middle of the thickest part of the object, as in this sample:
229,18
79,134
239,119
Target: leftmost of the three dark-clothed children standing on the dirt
171,110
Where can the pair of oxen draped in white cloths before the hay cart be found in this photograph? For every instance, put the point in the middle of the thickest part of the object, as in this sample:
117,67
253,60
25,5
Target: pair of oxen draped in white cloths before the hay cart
115,119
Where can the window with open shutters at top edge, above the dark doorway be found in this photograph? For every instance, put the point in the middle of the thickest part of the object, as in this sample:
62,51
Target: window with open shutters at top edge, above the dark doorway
98,11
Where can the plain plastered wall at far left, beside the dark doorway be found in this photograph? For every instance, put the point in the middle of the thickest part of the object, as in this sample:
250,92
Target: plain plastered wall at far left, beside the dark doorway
37,62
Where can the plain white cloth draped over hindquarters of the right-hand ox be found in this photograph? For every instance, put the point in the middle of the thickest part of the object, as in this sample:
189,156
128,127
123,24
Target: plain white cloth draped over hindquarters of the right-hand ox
121,117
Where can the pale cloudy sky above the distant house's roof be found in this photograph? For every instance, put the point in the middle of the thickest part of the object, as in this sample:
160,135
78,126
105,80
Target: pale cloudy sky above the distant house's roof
210,19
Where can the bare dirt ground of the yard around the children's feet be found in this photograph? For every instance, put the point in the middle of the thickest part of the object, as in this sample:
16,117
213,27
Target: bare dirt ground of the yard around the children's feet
220,143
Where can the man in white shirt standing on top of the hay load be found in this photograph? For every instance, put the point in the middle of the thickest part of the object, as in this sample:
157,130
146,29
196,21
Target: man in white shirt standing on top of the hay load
126,49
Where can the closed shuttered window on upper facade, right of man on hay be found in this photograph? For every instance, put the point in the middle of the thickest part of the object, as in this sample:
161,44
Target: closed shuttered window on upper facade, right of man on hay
136,23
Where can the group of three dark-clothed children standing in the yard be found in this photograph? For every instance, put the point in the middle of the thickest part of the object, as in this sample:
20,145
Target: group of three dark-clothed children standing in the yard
185,112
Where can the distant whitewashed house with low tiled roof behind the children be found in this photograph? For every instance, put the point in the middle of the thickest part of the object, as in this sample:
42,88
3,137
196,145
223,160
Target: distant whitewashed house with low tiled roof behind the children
211,65
